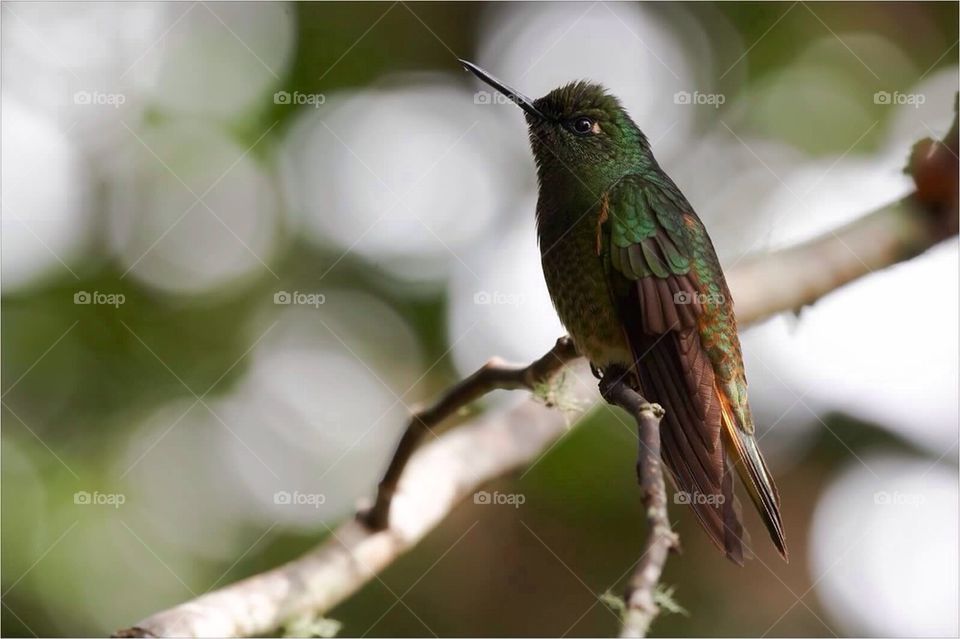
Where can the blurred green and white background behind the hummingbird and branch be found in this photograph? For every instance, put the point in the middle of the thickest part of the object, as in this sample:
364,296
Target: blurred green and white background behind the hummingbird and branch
240,240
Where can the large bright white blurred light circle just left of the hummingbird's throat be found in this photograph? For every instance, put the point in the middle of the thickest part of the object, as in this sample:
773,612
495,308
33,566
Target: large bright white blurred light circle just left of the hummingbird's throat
404,175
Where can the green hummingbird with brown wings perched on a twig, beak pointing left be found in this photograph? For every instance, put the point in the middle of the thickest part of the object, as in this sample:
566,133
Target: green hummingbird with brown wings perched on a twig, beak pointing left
636,282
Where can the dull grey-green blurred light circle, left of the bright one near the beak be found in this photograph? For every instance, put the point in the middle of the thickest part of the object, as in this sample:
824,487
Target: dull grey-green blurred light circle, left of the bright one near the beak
167,239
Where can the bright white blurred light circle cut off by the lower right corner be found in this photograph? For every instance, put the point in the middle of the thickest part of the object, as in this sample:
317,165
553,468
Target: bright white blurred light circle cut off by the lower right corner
884,548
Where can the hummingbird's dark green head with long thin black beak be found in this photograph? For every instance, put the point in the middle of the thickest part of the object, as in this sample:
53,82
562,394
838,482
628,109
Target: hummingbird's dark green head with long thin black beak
578,131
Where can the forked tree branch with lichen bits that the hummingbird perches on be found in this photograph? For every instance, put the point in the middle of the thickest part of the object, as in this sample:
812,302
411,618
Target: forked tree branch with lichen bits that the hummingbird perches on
448,469
